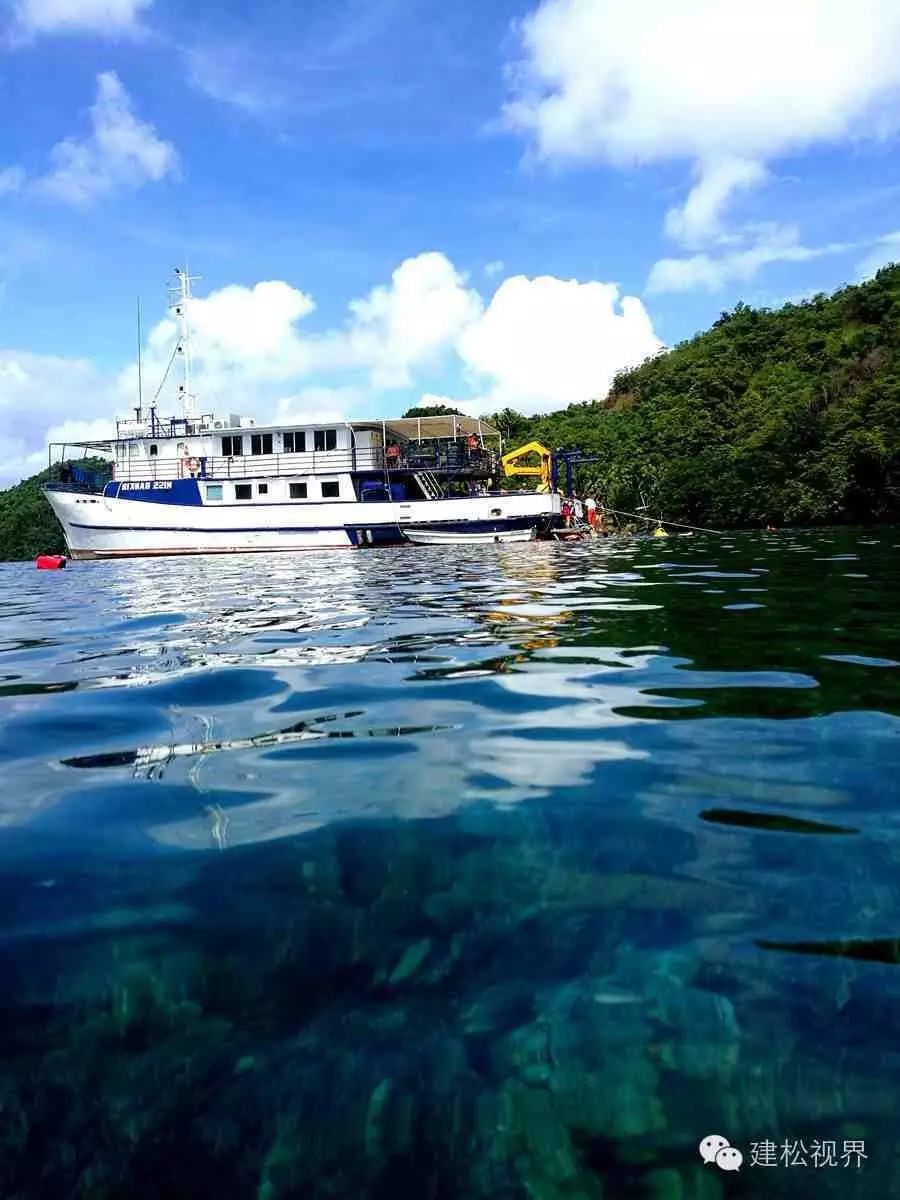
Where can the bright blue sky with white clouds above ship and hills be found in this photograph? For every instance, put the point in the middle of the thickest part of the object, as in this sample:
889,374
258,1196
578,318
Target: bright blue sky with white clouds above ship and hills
501,152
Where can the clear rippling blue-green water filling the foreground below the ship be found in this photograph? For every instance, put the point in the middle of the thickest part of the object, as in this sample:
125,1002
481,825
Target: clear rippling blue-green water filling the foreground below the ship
499,872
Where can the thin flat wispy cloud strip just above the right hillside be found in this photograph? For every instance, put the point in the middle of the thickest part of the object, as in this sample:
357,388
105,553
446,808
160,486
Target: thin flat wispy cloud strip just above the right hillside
713,273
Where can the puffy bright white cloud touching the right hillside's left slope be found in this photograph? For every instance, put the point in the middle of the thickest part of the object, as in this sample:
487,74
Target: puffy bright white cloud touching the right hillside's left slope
548,343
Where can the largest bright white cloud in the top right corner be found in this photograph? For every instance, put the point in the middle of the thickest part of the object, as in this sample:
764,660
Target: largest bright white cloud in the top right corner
725,87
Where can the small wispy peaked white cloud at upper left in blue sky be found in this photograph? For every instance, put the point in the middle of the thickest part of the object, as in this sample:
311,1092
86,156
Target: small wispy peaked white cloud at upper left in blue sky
121,152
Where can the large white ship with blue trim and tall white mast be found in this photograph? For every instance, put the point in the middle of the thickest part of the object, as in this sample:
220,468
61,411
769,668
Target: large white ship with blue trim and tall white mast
199,484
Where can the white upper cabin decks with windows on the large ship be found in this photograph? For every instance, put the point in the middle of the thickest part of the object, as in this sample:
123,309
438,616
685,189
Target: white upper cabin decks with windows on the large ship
237,461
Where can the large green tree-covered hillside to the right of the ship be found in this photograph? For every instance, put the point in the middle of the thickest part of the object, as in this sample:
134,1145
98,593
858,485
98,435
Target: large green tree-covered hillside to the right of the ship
789,417
